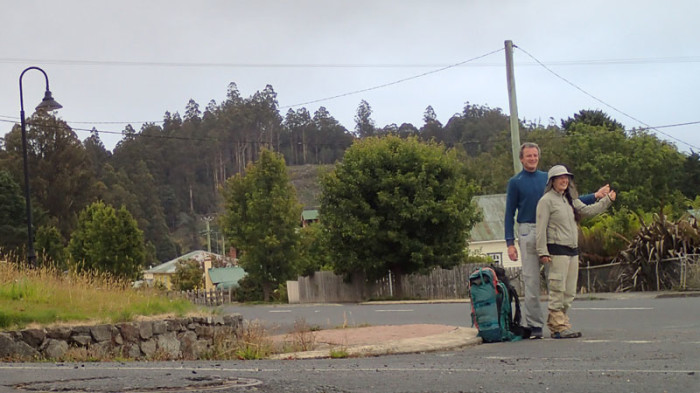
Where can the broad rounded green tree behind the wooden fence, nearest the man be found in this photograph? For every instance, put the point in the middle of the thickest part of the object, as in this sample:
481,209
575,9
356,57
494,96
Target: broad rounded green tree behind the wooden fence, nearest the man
397,205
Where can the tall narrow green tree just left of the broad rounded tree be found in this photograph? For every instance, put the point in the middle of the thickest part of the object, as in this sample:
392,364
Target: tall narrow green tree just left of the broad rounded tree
261,219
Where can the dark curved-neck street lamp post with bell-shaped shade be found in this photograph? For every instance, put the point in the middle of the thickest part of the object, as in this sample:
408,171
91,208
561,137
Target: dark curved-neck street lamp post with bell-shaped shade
47,104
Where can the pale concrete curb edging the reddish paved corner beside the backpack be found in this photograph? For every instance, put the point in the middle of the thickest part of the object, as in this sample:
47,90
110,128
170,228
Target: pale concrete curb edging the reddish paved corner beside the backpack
458,338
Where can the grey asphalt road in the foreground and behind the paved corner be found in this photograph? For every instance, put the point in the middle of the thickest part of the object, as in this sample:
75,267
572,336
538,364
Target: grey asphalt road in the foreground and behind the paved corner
633,345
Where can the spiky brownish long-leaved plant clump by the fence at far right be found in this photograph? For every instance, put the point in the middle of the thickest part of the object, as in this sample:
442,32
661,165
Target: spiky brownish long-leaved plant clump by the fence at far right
652,260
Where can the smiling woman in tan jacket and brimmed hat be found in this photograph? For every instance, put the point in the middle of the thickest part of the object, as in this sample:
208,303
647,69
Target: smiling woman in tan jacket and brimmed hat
558,213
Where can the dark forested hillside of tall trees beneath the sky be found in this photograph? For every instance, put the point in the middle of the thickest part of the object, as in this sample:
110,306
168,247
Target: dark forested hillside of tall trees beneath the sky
169,176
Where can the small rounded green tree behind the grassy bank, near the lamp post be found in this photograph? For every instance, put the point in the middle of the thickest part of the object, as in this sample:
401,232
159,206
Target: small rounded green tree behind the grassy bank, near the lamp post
108,240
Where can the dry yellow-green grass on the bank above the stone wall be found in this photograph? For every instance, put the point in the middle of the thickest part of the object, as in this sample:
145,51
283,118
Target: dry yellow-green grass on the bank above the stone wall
45,296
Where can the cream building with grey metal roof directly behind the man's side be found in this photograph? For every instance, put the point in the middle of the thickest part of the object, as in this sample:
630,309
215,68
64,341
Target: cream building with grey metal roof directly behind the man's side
488,236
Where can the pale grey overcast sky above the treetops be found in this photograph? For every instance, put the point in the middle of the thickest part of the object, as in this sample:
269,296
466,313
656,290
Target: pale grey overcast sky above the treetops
130,61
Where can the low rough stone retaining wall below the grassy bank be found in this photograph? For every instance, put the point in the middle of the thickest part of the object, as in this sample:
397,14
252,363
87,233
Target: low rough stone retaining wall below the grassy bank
174,338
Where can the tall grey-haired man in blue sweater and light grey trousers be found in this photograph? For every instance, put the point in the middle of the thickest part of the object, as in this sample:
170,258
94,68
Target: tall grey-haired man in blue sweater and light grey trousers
524,191
